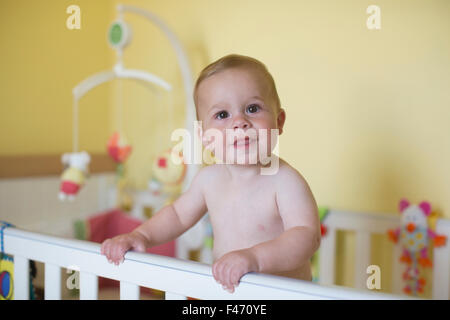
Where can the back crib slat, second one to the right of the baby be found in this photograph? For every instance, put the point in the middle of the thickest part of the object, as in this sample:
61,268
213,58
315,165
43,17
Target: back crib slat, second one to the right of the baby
362,258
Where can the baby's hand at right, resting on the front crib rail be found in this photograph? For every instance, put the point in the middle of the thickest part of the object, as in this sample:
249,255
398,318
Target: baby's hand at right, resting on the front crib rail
229,269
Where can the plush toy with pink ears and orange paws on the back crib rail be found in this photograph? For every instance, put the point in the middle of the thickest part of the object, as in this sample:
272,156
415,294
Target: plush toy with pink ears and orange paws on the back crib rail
415,236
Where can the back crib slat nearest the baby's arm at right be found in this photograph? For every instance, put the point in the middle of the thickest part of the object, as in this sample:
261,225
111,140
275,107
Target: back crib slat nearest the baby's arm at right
327,259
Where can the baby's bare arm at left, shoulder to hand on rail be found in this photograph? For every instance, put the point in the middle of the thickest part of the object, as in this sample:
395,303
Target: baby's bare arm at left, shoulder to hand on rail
166,225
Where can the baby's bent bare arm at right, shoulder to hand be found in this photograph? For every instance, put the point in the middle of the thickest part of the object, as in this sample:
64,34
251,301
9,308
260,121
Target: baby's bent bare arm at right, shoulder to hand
292,249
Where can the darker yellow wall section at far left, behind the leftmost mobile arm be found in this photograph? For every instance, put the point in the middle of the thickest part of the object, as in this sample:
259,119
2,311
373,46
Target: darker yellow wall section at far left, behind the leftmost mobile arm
41,61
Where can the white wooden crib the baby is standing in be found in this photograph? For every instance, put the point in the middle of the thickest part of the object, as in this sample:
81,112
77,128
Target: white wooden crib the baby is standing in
181,278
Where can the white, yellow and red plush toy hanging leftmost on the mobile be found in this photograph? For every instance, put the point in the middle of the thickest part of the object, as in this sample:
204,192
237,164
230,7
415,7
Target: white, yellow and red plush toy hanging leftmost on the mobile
72,179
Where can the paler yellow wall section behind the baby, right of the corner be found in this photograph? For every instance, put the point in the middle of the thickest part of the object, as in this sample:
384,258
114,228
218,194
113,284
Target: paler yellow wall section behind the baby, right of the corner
367,111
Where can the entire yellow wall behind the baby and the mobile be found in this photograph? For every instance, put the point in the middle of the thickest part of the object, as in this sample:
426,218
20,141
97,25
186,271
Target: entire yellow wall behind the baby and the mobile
367,110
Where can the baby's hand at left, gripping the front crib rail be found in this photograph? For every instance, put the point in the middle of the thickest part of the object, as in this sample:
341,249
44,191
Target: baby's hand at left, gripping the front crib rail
114,249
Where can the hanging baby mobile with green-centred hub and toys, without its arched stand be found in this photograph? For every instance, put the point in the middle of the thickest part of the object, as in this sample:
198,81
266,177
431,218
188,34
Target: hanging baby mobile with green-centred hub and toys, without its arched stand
76,163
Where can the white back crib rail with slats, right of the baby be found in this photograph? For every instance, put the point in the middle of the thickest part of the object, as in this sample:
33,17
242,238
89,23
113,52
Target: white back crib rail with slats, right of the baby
366,224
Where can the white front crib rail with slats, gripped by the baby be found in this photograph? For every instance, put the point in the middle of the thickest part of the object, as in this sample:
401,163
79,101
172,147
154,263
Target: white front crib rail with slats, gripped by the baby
178,278
